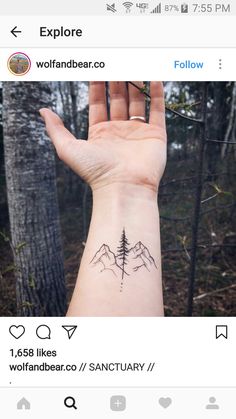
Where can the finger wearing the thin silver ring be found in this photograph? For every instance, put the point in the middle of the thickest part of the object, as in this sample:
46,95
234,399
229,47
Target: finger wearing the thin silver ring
136,100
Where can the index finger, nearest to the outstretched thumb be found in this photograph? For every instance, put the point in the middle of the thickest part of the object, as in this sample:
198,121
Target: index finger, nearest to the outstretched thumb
97,103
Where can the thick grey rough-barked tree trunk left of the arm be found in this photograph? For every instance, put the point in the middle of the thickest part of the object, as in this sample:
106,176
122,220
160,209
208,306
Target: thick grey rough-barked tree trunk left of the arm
32,201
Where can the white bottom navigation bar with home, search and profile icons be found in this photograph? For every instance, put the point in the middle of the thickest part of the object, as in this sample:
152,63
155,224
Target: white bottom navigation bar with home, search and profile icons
131,402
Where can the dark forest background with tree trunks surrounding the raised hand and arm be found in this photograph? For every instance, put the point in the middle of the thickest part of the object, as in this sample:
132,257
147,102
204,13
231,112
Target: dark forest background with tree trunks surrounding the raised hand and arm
41,252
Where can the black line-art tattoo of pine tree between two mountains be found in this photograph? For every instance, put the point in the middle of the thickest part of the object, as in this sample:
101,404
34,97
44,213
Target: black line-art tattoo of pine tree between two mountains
125,261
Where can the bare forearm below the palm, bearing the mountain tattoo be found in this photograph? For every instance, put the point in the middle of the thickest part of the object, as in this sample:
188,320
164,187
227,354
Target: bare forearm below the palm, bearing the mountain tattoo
120,272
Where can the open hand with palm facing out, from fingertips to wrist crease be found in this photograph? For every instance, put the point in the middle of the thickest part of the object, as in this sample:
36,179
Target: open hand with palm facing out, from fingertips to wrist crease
119,150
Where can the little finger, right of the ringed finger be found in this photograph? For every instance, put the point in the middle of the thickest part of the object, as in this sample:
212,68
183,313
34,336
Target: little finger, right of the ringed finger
157,108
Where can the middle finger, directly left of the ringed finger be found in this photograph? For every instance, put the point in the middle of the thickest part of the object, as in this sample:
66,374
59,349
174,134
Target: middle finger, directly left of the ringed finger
118,101
